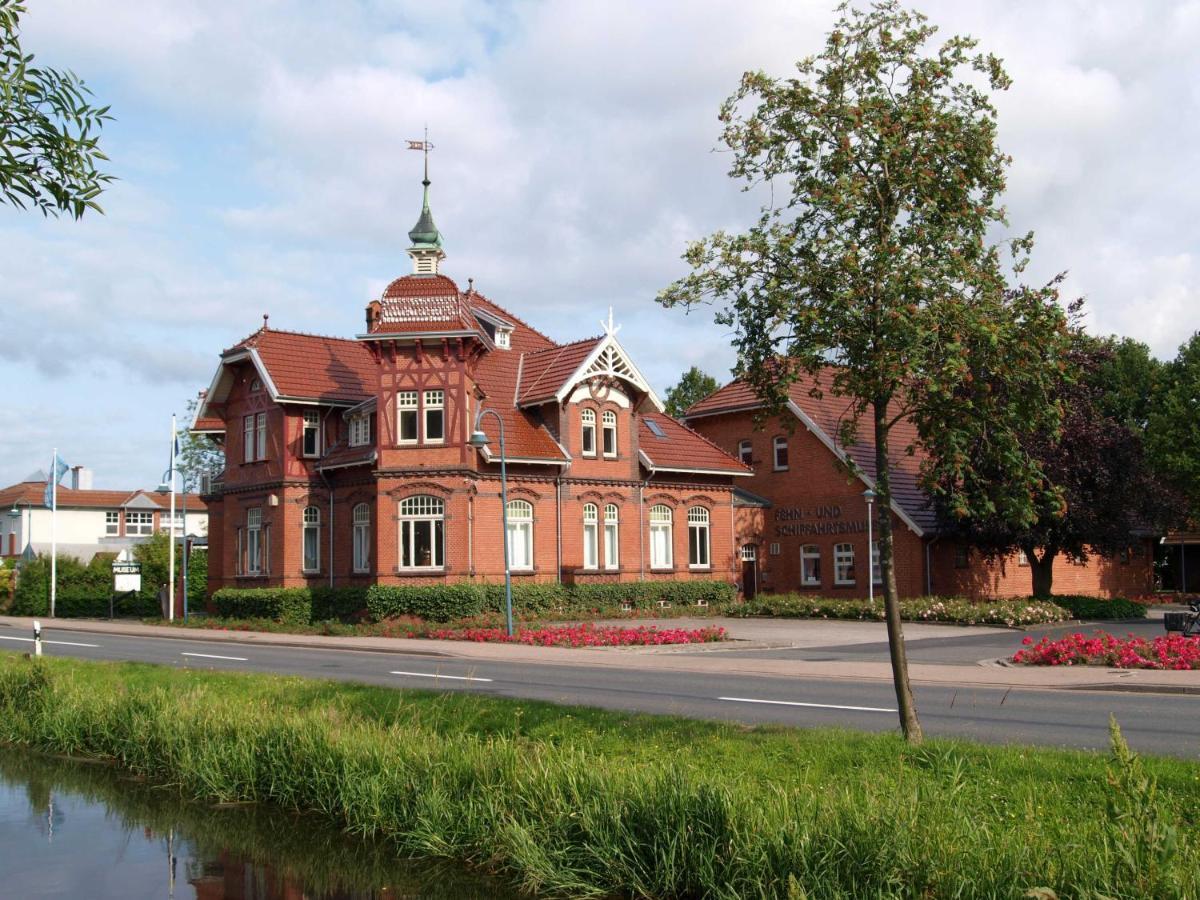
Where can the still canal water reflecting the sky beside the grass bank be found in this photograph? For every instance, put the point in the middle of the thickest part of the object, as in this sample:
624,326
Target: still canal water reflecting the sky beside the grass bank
71,830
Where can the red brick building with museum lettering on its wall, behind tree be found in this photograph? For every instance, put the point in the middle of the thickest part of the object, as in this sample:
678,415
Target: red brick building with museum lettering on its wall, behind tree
807,531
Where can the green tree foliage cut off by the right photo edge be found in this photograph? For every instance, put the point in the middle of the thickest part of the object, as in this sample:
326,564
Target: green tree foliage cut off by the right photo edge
1174,434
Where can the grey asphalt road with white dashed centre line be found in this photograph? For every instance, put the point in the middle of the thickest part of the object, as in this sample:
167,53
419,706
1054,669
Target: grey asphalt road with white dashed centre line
1154,723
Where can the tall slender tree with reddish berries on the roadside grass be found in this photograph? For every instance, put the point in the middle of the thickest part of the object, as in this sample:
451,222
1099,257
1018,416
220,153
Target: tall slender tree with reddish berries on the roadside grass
872,265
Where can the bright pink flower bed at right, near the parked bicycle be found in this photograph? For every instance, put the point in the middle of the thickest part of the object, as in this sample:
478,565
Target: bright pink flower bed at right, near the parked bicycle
1105,650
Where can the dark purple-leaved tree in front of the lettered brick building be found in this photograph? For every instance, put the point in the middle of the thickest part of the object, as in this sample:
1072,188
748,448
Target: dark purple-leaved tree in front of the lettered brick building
1105,493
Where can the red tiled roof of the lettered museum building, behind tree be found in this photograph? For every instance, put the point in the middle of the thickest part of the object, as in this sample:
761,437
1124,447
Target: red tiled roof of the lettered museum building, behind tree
824,417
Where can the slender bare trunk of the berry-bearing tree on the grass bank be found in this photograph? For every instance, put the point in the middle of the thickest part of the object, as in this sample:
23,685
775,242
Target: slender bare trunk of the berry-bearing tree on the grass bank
908,706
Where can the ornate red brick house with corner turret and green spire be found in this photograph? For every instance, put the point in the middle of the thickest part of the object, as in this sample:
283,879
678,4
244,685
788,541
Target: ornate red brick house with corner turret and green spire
347,460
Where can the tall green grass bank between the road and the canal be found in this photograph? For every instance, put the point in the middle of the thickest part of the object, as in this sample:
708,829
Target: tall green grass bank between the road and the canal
581,803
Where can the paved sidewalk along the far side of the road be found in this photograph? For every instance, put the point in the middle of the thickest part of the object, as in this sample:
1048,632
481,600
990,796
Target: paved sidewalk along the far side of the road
663,659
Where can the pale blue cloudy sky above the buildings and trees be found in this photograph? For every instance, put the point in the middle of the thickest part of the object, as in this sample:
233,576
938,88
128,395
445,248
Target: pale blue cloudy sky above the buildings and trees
261,153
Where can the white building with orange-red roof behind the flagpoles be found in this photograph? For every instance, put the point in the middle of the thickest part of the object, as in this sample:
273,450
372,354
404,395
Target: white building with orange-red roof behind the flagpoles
89,521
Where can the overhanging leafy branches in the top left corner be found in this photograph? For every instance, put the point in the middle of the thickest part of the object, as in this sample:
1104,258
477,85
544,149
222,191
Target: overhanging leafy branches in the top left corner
50,131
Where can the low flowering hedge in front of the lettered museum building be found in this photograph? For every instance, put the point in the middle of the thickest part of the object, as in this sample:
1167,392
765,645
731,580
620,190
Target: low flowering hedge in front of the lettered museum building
923,609
